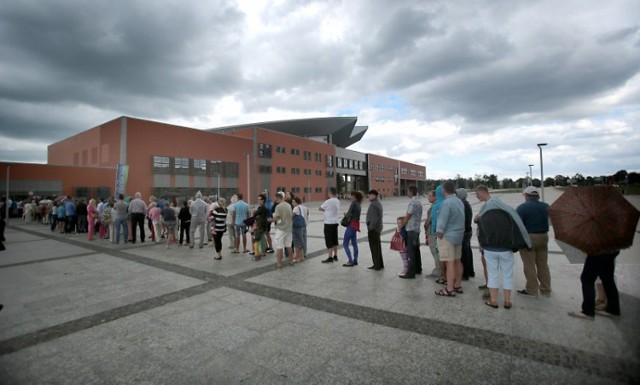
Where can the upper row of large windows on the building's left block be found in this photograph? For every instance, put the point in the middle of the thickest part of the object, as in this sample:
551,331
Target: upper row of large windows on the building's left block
187,166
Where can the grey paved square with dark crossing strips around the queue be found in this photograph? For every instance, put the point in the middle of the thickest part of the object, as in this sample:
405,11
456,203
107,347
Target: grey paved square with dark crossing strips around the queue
80,312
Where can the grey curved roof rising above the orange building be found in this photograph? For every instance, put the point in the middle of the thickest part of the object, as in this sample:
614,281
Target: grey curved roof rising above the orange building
341,131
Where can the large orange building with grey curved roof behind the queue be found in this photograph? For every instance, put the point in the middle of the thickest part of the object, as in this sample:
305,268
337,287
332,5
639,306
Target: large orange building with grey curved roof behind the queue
305,156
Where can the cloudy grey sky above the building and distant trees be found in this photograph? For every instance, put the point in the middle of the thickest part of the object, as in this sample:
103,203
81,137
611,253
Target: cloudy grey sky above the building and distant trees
463,87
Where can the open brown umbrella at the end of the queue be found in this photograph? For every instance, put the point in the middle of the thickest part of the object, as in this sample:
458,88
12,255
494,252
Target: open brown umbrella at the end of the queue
594,219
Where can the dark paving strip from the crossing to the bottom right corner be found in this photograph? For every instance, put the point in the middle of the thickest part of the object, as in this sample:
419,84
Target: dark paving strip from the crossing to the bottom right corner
594,364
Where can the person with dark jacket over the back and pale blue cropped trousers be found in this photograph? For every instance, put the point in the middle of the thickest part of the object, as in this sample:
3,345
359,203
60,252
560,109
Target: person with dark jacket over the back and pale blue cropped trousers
500,233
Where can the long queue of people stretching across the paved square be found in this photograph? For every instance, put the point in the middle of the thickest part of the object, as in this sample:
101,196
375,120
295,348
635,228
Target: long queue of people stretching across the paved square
501,231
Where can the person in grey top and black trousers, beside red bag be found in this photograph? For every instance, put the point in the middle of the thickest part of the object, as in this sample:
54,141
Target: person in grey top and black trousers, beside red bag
411,222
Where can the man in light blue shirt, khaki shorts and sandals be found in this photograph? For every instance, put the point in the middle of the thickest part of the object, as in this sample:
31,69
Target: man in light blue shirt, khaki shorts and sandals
450,230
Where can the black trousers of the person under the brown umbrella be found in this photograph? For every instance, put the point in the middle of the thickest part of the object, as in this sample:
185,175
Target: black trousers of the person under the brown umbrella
602,266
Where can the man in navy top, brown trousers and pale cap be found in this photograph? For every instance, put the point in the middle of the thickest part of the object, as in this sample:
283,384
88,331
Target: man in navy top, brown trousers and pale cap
535,216
